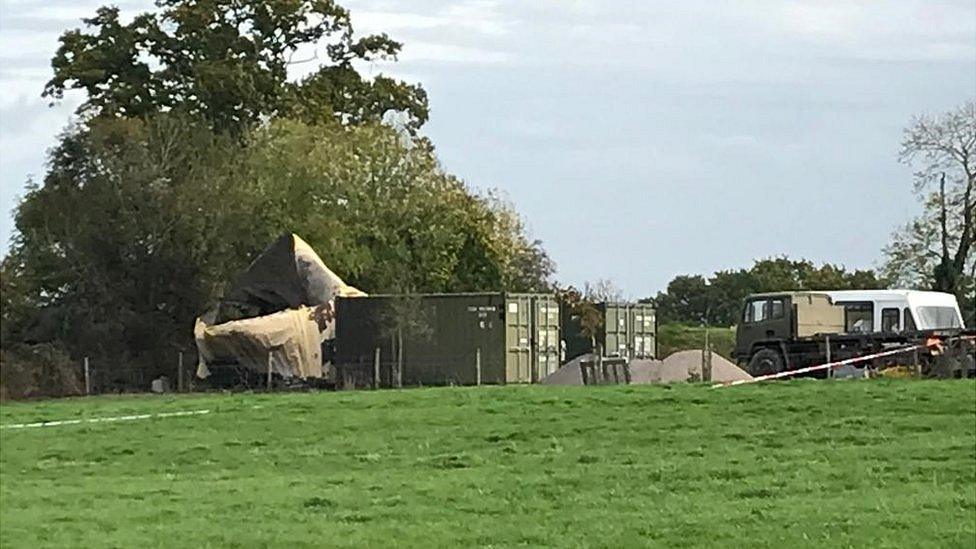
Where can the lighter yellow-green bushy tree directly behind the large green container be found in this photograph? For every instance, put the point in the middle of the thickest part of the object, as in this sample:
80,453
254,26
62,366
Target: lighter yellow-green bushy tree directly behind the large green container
384,215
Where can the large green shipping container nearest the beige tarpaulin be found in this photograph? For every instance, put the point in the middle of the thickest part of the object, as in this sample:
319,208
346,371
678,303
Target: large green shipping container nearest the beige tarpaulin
446,338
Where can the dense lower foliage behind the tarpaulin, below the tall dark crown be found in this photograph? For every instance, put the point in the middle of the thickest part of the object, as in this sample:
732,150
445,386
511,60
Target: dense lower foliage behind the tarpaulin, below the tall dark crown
140,223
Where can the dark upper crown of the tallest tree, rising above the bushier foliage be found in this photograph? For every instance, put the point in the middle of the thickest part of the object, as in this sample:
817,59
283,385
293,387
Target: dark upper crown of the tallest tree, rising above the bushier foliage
227,61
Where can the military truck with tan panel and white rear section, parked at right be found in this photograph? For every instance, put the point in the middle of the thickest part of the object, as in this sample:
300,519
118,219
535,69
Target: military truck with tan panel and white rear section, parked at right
790,330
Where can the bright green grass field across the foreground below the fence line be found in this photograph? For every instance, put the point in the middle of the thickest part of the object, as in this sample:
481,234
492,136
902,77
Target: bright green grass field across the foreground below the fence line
804,463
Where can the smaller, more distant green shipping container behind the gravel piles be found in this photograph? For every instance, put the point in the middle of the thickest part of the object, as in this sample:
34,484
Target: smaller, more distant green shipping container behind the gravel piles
627,330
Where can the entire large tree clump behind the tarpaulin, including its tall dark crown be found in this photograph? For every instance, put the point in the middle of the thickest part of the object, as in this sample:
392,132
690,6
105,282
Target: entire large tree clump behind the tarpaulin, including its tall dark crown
194,149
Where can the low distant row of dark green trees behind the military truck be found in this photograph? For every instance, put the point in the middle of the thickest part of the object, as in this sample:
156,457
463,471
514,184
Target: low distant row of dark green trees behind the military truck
717,300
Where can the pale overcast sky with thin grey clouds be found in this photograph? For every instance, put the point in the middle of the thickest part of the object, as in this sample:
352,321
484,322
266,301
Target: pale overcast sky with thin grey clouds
640,140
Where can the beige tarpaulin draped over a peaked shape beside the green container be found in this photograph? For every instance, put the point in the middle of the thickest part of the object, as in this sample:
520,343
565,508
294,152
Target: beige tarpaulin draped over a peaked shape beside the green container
282,307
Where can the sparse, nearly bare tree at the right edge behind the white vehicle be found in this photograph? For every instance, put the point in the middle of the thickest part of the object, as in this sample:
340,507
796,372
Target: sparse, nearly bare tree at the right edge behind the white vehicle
937,248
